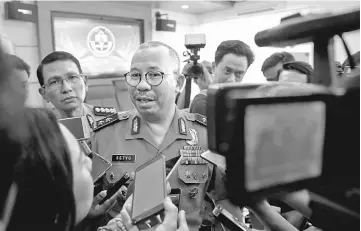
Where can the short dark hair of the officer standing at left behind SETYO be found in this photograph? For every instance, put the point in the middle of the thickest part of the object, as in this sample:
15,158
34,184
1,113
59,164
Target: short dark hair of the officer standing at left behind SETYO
53,57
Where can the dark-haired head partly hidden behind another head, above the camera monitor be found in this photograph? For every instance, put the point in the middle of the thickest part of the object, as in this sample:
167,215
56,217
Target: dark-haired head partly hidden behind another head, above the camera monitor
274,63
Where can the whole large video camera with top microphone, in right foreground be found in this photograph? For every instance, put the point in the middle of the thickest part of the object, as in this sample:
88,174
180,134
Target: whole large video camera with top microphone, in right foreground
282,137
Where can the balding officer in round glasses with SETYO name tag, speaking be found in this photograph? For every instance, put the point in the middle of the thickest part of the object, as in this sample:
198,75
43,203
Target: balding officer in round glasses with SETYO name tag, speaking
130,139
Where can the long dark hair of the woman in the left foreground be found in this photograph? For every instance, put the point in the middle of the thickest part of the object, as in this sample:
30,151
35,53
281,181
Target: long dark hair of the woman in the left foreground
44,176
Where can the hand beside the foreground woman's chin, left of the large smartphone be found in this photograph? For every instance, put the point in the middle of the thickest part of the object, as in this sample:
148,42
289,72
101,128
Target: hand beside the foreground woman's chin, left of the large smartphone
97,210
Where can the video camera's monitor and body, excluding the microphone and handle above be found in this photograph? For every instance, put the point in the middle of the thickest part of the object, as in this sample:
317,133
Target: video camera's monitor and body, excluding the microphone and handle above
282,137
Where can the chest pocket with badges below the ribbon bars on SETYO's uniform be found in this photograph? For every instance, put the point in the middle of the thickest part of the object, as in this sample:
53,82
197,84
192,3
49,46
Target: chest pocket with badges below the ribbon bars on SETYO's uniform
193,179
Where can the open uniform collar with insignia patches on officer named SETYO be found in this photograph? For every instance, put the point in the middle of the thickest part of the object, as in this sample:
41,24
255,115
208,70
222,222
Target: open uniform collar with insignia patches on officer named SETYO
179,129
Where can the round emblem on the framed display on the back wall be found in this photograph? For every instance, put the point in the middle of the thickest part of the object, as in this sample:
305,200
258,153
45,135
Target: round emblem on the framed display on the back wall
101,41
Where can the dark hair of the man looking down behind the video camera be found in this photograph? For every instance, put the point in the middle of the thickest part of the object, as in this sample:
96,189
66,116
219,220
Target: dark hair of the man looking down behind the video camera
235,47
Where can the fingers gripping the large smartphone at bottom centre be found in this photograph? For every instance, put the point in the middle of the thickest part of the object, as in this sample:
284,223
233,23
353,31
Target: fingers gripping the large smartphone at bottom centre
172,217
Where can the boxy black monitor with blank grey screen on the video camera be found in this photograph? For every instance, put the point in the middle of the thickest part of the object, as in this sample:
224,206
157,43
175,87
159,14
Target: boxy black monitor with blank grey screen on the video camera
272,143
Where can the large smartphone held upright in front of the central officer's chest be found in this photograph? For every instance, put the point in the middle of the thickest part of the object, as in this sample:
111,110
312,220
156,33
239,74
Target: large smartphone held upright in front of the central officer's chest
149,191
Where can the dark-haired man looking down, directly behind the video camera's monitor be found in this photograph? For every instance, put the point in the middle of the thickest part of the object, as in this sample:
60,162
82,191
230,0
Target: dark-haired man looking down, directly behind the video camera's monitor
231,62
